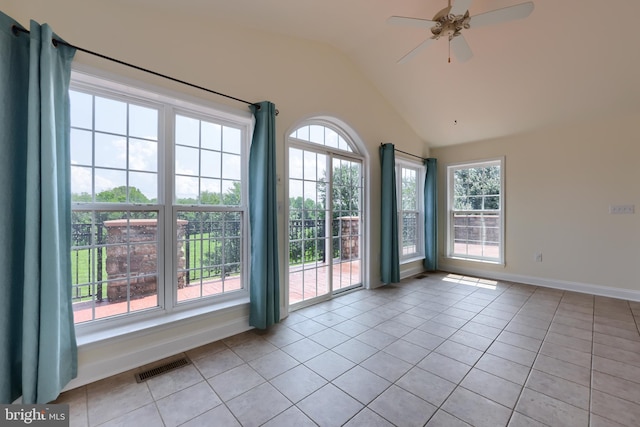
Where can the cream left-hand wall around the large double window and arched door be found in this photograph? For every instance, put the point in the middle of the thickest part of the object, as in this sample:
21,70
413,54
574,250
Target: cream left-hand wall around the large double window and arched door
302,78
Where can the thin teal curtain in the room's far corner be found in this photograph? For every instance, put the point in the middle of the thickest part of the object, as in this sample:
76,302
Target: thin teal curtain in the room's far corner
431,215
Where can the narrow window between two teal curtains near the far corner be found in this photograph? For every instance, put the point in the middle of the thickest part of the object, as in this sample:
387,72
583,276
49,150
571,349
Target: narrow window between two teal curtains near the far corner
410,181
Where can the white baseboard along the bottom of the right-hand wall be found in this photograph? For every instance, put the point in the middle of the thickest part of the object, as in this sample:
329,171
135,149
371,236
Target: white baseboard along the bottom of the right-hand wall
586,288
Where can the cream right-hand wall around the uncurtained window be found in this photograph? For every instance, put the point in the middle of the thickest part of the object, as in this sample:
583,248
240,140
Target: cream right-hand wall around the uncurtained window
559,185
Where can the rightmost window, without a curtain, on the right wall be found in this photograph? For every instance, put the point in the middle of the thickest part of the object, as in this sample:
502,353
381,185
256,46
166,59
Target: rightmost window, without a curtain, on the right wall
476,206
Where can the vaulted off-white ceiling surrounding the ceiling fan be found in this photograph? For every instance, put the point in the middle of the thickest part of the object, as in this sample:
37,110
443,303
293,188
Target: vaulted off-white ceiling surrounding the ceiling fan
569,60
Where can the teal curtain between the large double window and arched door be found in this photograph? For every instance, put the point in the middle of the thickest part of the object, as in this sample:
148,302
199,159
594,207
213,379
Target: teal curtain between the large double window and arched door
264,279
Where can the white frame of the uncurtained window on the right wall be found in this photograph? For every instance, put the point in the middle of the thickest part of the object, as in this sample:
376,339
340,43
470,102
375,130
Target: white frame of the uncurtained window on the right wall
451,212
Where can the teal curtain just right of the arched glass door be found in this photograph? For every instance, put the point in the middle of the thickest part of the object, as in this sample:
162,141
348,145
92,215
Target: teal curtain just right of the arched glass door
389,244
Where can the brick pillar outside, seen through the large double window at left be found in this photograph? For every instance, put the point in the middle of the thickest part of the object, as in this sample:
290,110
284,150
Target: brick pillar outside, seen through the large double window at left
132,258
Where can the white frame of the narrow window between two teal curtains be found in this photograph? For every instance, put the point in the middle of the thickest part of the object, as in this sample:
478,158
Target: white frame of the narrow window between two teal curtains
420,169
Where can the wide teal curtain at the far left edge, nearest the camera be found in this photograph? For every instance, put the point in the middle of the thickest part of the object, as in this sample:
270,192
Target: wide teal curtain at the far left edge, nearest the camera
38,353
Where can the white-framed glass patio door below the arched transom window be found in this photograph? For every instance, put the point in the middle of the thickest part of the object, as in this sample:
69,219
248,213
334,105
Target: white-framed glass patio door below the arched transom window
325,224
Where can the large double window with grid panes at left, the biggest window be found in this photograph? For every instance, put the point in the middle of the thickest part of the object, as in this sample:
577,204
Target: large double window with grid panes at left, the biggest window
158,201
